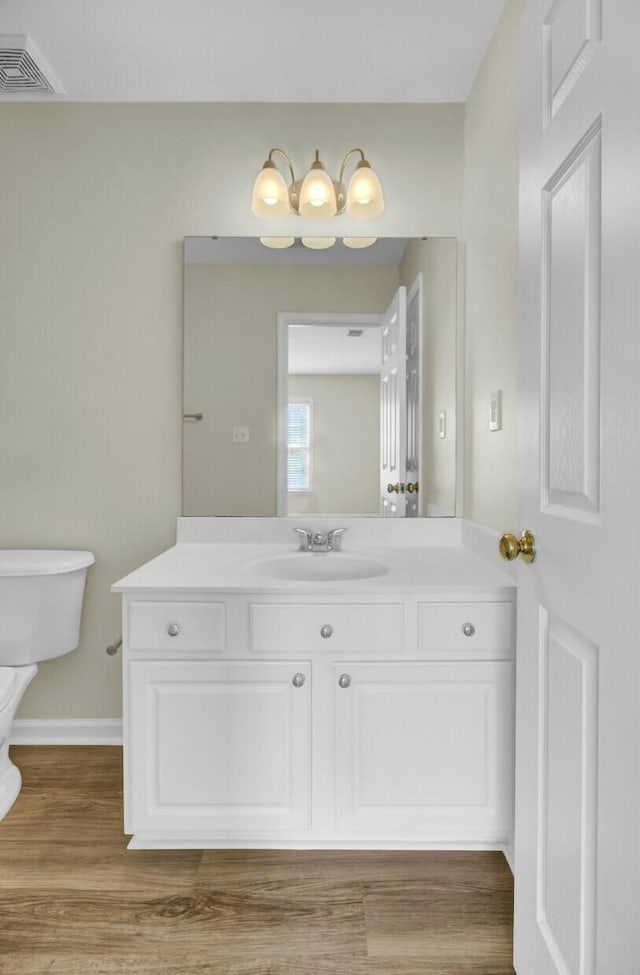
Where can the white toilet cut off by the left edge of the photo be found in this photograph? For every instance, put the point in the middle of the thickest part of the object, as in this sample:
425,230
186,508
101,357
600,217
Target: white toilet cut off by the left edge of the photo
41,595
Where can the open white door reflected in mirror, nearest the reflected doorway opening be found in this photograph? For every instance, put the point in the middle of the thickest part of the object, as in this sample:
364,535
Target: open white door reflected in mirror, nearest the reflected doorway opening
393,412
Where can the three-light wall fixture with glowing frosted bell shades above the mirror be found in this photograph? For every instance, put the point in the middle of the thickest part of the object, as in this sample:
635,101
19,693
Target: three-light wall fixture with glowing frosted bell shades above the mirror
317,195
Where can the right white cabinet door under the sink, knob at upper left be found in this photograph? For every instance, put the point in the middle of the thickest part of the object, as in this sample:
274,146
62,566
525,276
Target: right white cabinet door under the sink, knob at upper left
424,751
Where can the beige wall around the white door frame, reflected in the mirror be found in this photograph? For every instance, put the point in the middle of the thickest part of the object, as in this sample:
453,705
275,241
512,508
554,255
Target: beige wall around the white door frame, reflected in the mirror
230,356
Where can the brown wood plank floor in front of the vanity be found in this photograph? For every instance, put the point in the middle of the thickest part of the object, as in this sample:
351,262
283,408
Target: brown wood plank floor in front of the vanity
75,901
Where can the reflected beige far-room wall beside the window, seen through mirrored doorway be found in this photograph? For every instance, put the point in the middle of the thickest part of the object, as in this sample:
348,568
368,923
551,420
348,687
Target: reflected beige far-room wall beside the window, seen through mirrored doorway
345,443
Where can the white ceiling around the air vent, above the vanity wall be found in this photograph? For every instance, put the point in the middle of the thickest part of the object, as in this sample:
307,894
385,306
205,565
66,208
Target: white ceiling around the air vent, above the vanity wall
256,51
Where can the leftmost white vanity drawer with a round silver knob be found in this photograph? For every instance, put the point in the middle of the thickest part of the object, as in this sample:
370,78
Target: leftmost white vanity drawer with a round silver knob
176,626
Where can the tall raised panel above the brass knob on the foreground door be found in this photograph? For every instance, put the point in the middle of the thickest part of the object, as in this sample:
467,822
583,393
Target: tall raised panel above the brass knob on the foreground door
571,355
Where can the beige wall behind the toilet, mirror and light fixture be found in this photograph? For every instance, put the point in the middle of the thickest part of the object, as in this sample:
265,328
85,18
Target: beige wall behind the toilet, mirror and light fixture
94,202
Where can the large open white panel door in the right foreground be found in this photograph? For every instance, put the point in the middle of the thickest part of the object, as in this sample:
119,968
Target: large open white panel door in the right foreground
578,696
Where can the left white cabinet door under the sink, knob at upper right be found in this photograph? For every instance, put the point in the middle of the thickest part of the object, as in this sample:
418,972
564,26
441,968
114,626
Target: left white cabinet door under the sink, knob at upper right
218,745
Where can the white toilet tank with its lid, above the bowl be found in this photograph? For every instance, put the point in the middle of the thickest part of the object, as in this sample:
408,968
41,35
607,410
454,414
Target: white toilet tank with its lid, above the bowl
41,593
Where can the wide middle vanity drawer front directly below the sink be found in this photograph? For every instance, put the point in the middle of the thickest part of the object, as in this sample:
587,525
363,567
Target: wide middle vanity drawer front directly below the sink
354,627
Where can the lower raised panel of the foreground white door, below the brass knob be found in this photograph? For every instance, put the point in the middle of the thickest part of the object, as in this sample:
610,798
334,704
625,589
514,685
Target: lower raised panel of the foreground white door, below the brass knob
567,794
